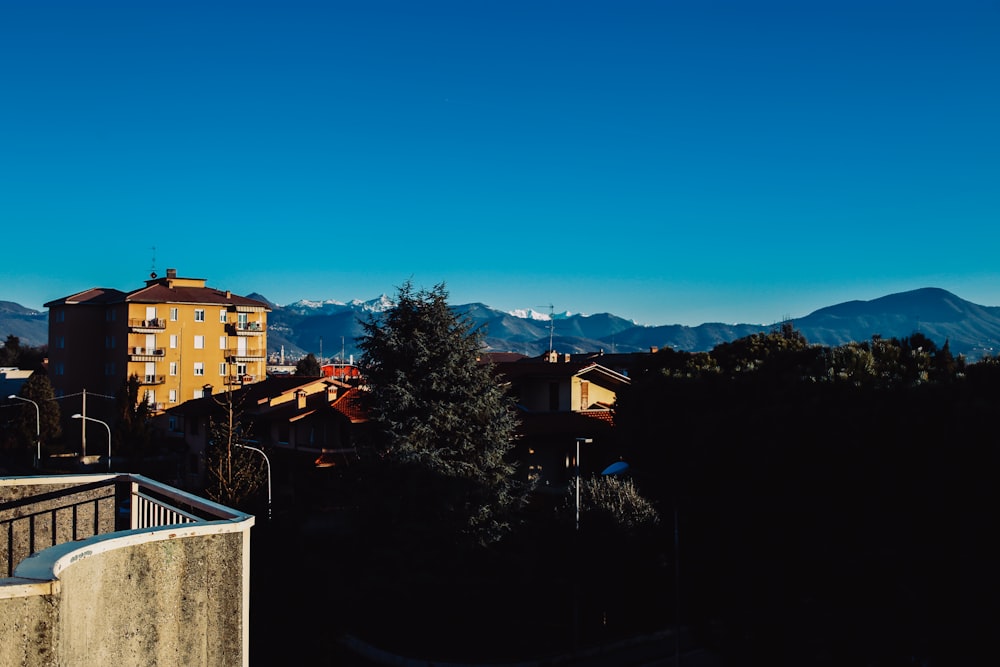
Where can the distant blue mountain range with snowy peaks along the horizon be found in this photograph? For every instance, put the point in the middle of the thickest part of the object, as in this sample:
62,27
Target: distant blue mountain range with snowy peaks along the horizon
329,329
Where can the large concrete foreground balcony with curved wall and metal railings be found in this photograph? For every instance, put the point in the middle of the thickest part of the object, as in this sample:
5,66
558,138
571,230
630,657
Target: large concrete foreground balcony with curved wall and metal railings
109,569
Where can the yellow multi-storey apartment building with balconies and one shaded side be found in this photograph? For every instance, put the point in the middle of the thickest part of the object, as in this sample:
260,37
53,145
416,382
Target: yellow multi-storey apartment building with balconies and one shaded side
182,339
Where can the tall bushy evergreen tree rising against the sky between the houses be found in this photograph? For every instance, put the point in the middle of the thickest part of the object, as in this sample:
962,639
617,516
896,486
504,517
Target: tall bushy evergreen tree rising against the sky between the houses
446,421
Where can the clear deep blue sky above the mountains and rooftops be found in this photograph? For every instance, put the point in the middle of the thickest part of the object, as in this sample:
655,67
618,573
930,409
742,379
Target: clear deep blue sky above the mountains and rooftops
669,162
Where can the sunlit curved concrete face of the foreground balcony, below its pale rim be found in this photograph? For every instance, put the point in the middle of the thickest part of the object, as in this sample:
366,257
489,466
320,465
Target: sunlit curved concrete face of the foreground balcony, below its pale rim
177,602
